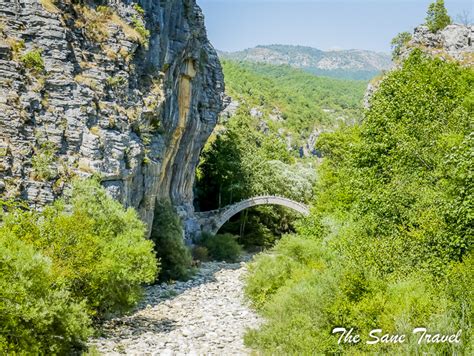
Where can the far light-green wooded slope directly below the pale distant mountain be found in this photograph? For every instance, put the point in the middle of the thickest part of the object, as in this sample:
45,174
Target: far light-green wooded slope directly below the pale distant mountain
305,102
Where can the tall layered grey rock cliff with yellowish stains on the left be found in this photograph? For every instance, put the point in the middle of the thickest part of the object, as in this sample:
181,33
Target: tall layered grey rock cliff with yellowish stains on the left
127,92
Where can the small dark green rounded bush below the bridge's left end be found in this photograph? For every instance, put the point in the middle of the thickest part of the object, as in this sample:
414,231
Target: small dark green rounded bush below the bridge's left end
222,247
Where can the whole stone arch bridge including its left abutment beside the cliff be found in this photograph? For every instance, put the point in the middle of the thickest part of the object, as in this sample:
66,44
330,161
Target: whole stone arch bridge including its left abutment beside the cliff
212,221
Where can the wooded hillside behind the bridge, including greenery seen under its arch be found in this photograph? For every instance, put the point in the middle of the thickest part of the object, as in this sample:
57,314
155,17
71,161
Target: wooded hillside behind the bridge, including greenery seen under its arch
266,146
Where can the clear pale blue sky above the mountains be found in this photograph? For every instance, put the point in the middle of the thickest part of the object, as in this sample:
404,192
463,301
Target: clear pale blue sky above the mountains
342,24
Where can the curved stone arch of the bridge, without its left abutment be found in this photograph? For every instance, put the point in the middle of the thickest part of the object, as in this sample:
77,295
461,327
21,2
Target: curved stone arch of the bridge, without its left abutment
226,213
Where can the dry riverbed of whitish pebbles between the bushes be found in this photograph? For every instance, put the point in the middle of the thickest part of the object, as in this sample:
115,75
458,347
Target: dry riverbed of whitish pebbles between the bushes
206,315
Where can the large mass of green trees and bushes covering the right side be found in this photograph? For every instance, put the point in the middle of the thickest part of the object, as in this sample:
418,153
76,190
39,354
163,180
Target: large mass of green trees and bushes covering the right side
389,242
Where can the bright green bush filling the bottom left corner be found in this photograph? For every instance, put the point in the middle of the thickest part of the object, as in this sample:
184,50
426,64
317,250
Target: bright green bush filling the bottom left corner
35,316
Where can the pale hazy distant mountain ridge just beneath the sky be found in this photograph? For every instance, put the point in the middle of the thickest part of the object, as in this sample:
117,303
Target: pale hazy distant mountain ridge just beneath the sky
347,64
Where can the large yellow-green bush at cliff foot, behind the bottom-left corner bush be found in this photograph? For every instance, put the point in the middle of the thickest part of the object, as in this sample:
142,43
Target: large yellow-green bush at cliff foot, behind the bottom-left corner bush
98,249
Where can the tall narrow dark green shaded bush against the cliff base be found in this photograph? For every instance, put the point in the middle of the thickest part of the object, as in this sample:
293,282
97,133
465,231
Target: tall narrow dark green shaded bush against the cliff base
167,233
